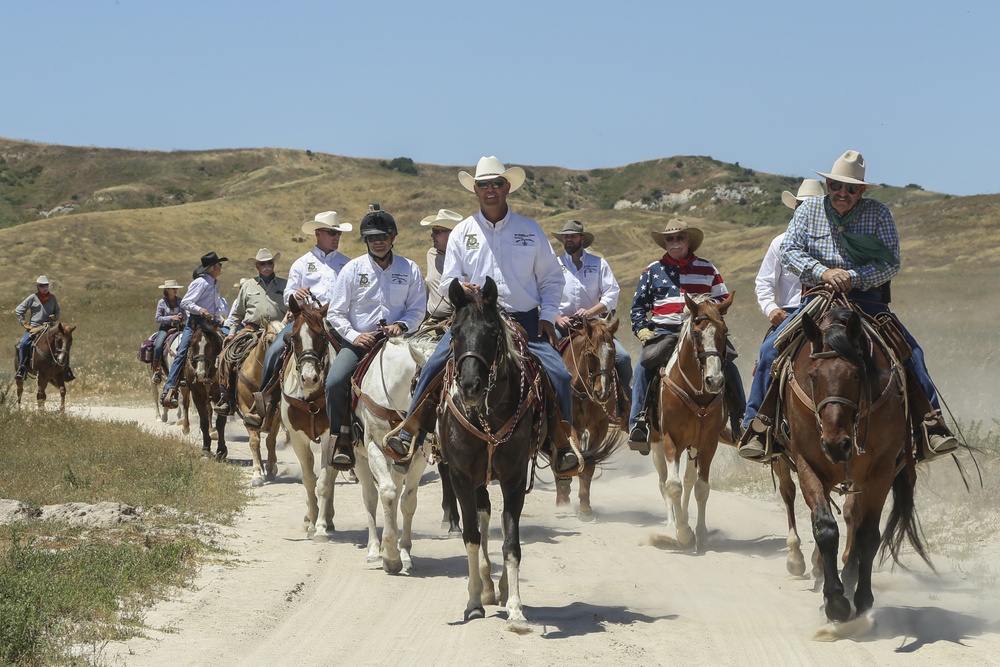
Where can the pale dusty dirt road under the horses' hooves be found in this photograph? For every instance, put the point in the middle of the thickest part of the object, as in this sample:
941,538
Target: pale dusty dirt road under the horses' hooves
607,592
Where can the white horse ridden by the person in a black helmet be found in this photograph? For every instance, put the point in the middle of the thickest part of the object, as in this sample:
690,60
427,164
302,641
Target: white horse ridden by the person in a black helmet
383,398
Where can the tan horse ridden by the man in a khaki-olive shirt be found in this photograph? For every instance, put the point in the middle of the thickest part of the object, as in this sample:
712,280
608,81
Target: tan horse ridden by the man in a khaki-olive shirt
251,368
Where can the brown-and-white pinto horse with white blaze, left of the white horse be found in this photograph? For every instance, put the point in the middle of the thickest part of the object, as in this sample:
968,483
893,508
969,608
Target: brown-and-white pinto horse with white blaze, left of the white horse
303,409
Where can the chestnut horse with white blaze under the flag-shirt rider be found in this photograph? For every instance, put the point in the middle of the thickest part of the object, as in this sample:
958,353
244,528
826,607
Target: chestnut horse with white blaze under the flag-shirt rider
691,414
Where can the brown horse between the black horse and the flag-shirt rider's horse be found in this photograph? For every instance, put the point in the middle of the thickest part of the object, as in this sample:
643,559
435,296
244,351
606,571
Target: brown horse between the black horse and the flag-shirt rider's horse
590,358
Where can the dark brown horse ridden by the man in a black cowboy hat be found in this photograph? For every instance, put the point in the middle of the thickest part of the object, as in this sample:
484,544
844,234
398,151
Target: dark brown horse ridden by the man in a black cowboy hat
201,373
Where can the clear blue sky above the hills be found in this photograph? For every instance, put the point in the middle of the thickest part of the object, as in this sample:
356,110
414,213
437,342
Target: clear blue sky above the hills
781,87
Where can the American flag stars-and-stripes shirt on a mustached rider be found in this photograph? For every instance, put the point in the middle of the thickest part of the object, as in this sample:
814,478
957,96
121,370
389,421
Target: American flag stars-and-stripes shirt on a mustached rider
662,286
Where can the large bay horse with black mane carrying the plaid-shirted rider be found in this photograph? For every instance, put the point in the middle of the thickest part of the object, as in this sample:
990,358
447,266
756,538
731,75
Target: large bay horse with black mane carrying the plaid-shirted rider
849,433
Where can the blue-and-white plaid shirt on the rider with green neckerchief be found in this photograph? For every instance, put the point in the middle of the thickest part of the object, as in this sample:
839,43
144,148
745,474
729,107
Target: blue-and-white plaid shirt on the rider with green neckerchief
812,244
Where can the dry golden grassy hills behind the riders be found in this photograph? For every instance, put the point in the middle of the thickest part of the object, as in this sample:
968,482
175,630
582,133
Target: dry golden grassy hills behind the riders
108,225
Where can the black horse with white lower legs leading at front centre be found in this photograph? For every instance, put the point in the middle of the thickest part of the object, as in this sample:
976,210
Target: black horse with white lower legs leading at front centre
492,421
